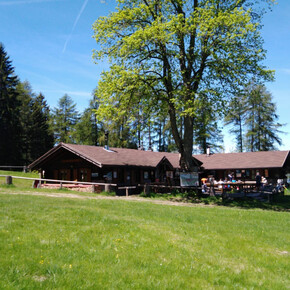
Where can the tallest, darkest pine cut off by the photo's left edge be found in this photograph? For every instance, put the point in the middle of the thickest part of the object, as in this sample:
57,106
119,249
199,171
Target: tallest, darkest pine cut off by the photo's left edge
10,127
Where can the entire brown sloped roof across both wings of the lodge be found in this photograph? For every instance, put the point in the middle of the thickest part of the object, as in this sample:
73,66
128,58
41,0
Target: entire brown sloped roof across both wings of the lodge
133,157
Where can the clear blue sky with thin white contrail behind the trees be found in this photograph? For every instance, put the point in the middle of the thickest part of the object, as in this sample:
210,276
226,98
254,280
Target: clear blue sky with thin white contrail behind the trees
50,44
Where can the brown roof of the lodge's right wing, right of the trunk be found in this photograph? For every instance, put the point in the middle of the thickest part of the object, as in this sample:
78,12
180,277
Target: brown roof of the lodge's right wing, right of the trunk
244,160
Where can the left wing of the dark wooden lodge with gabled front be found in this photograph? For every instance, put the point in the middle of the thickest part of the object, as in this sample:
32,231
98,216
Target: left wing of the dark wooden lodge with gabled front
115,165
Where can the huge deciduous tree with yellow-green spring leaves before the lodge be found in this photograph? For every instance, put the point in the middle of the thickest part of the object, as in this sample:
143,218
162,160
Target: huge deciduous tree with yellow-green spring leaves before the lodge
167,54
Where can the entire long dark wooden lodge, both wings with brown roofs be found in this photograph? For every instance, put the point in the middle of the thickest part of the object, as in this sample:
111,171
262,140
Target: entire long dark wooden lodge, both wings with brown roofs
126,167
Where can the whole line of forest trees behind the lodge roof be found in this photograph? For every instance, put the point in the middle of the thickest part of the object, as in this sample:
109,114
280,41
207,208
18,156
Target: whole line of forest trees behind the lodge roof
29,127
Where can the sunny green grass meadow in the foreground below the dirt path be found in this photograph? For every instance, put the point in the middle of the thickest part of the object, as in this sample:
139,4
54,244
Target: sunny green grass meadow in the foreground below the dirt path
111,244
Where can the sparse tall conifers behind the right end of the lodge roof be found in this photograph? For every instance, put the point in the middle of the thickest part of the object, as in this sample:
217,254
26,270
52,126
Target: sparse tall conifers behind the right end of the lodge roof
252,115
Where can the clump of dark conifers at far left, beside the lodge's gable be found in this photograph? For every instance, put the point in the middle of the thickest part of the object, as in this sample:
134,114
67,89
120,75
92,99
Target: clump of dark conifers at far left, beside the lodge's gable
24,127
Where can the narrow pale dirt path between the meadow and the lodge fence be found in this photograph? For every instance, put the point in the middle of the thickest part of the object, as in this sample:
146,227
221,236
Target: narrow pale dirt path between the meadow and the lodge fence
129,198
